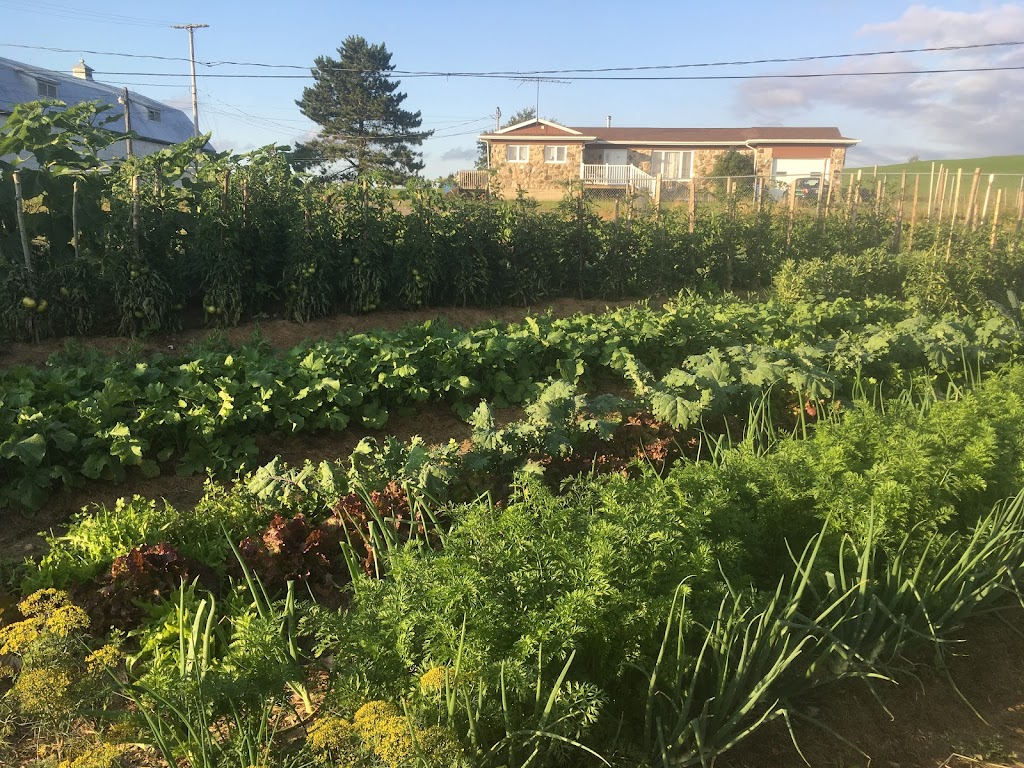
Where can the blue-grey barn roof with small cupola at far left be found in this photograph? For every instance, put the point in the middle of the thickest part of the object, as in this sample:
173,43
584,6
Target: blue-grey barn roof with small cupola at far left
20,83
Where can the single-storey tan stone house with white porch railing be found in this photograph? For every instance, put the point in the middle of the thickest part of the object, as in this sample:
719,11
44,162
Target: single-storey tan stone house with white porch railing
540,157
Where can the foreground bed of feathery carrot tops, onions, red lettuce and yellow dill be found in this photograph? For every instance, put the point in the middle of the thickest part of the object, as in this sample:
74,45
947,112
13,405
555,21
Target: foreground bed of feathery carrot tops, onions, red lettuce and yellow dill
655,619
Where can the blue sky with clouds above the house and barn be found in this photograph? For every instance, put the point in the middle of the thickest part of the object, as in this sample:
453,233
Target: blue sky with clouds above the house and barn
895,116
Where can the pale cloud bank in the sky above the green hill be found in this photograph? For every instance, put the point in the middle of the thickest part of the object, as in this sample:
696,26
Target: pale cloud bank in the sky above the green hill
969,113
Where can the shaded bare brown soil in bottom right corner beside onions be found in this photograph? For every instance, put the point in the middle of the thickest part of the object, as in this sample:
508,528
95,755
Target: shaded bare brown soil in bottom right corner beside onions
928,724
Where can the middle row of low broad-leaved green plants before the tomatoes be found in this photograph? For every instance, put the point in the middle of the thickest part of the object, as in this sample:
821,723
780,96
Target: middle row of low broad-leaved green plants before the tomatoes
89,415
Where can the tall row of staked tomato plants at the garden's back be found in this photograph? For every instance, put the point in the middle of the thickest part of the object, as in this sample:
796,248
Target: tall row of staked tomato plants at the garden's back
189,237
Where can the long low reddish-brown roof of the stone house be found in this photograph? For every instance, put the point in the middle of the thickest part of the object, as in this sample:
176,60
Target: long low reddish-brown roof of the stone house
707,137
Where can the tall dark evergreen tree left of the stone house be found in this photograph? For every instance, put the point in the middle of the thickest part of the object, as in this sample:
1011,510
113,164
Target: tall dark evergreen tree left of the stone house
358,106
